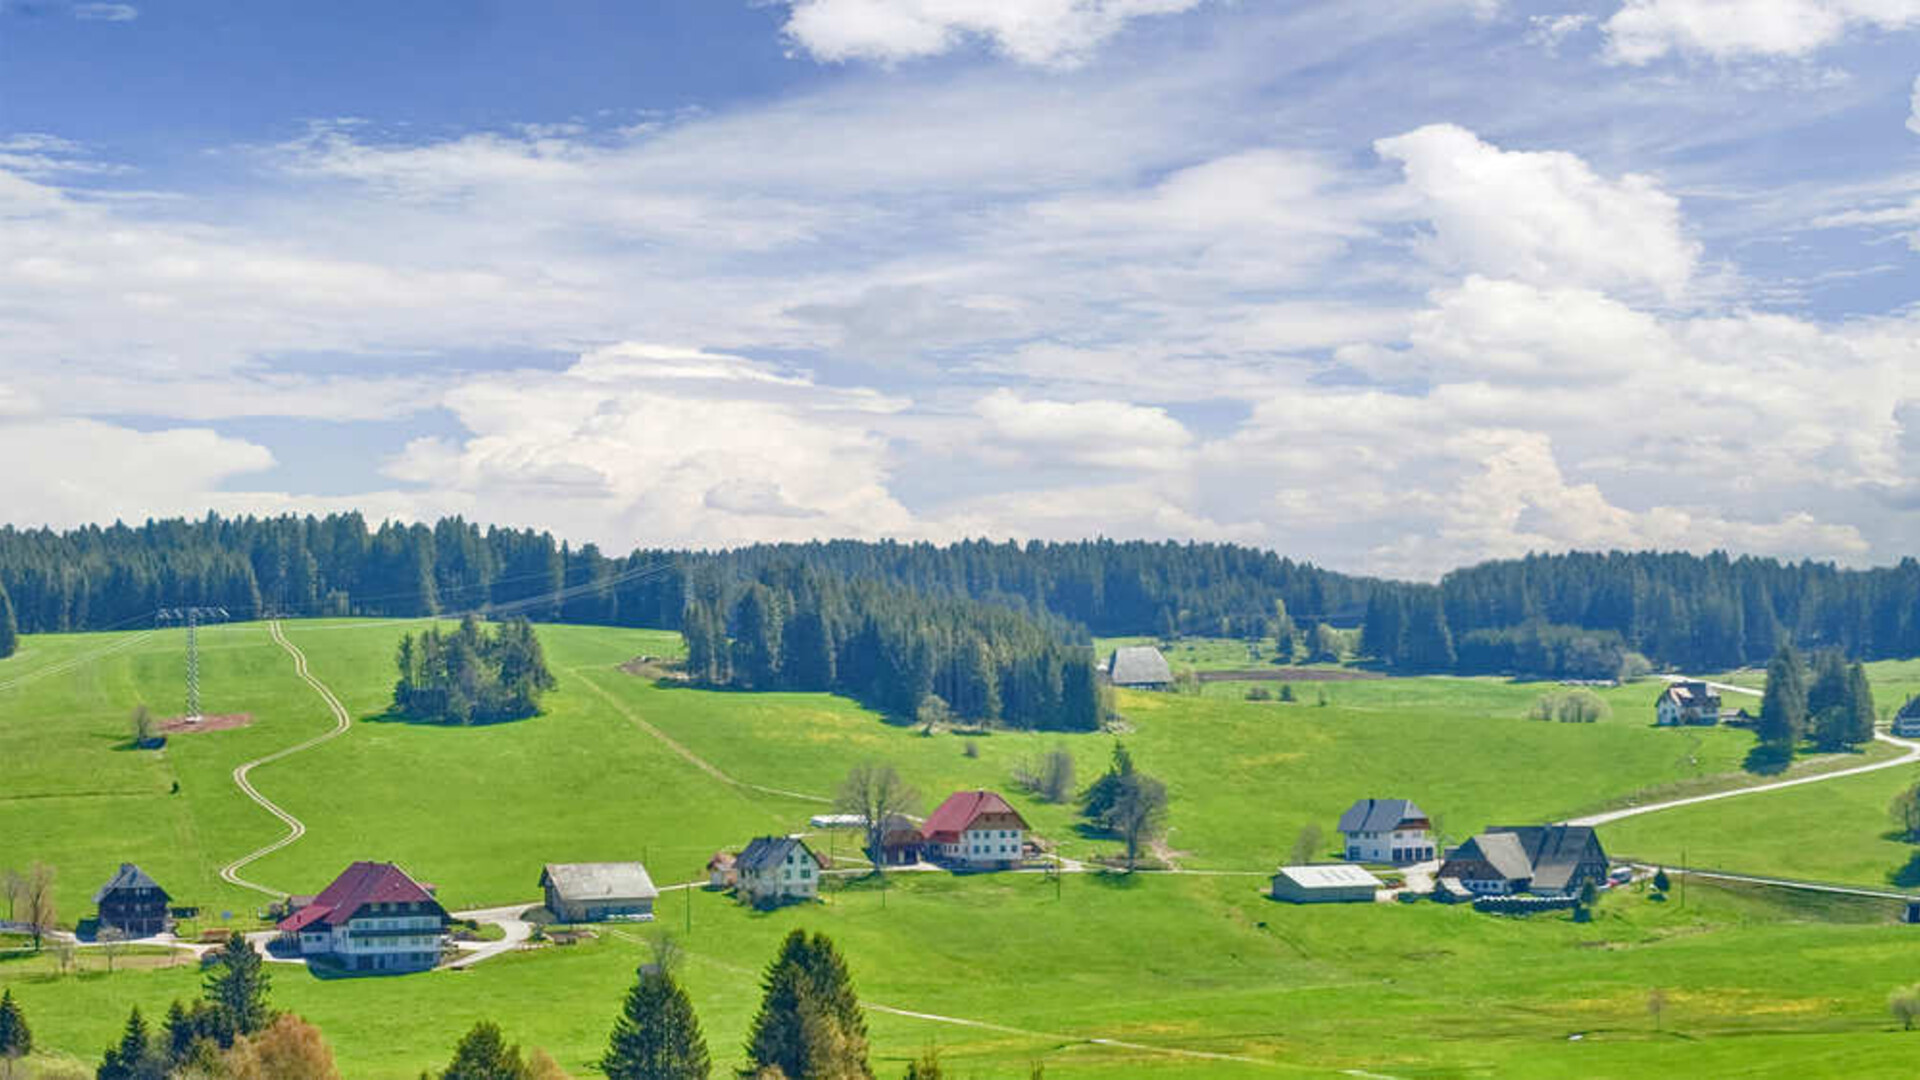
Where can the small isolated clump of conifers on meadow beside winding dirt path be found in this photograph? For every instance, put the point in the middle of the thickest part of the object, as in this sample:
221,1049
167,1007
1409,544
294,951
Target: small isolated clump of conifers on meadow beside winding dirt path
471,675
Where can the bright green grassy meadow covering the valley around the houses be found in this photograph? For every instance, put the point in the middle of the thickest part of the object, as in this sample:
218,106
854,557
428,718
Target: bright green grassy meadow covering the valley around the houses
1176,964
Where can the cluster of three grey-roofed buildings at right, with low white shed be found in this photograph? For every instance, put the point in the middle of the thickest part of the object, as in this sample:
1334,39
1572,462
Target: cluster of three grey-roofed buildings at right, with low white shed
1512,860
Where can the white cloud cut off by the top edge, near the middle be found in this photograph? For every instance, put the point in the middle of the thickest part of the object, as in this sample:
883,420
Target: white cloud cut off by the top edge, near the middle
1055,34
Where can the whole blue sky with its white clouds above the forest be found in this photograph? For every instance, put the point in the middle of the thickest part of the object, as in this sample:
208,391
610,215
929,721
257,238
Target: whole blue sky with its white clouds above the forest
1389,285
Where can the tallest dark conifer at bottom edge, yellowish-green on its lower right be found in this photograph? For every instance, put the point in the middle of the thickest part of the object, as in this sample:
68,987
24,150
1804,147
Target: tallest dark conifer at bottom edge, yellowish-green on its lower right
809,1021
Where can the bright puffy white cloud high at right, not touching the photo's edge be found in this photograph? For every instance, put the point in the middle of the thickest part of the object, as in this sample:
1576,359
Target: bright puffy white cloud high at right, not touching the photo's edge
1545,218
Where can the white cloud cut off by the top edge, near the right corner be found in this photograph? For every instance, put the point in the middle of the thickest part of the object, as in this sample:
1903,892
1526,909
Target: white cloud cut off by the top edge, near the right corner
1735,30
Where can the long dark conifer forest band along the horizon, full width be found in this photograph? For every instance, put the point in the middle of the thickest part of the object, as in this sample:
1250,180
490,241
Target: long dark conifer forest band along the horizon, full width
1558,616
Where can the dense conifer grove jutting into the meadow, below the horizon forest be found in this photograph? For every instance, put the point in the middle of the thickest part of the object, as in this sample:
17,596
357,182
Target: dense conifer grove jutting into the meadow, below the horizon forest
898,650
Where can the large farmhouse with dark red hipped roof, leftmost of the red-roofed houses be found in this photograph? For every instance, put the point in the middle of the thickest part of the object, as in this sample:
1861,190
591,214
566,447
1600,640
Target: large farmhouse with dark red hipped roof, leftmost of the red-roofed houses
373,918
